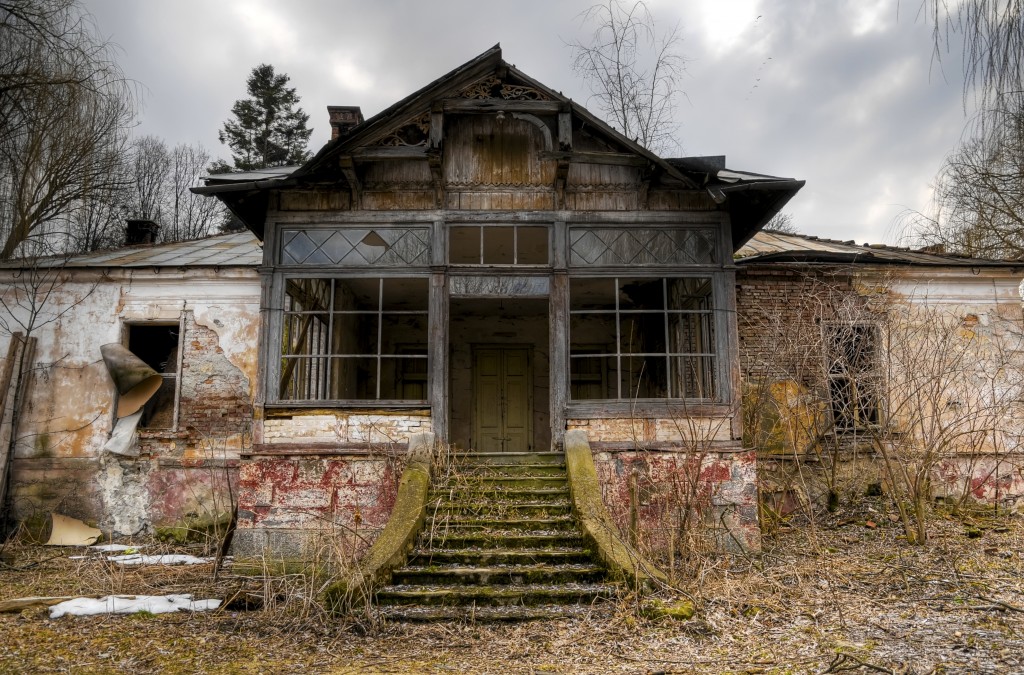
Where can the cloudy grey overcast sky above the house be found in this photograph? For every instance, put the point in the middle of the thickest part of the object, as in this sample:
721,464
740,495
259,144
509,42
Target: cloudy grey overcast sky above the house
843,94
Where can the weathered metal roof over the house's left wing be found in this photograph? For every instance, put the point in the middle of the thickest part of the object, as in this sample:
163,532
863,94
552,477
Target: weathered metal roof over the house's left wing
236,250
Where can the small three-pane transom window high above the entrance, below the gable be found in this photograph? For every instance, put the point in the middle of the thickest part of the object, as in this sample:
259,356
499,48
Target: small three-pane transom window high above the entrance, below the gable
498,245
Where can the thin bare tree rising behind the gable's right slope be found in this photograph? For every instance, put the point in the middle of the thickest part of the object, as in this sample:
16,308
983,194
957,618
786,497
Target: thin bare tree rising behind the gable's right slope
633,71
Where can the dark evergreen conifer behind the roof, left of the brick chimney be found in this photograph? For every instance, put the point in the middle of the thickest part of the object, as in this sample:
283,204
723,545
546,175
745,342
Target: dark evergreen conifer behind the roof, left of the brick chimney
269,130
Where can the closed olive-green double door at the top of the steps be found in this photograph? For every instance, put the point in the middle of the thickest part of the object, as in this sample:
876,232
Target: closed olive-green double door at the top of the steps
503,409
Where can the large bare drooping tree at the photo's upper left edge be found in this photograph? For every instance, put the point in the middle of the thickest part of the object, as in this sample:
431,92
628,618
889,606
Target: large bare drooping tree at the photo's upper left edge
65,111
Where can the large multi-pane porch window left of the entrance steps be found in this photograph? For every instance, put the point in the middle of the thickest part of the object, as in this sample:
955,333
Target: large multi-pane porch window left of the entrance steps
355,340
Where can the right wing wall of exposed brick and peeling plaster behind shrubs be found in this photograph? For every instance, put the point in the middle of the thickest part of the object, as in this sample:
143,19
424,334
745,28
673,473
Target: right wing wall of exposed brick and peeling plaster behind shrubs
984,306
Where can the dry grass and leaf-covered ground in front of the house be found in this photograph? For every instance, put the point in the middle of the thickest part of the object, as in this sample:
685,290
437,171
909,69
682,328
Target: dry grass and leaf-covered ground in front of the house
839,596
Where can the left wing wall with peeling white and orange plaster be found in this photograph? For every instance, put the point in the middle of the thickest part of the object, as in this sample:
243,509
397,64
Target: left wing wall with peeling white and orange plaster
68,415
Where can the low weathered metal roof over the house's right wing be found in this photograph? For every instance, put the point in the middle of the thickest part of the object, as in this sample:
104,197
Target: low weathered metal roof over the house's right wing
778,247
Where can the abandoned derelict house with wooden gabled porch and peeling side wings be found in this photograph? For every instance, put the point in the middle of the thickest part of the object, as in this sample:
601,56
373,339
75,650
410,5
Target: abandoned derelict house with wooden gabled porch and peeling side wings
488,262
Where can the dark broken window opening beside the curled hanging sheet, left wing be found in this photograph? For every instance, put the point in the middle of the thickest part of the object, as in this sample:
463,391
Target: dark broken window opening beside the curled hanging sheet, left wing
158,346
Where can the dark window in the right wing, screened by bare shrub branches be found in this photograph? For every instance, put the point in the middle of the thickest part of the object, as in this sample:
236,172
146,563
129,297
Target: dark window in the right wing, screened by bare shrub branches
851,354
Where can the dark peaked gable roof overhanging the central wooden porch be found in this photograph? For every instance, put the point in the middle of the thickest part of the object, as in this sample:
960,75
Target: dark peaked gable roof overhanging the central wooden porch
751,199
